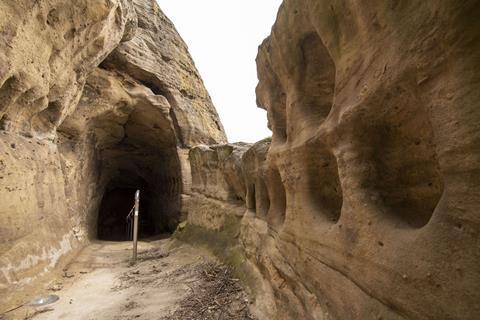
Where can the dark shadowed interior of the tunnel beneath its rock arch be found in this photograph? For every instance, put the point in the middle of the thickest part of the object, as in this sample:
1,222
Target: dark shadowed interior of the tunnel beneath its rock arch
146,159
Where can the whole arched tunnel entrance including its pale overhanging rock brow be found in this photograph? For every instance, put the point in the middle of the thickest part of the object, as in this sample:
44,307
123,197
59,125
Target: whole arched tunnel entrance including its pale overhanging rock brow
136,146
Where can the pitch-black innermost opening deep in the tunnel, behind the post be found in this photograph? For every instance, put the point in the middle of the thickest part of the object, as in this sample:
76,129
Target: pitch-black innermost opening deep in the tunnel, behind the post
115,206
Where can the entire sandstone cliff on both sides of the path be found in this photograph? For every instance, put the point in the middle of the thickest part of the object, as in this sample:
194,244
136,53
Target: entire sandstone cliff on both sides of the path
363,204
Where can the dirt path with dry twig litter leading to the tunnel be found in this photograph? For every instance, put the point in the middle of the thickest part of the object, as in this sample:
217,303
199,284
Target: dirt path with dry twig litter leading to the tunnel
170,281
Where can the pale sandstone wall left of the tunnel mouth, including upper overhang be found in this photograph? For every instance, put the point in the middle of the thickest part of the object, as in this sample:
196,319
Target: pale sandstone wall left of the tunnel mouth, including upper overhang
48,48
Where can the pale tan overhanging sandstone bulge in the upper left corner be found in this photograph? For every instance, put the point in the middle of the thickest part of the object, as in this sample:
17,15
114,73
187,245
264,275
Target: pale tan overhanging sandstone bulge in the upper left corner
47,50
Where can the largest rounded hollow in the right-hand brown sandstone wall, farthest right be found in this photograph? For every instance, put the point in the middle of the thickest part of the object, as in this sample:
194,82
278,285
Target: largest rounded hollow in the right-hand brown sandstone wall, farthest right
399,148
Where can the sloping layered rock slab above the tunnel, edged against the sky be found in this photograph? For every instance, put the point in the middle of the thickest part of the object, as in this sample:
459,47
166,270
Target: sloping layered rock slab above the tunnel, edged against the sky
158,58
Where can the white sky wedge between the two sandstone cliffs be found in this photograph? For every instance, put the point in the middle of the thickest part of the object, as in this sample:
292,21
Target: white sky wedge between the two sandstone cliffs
223,38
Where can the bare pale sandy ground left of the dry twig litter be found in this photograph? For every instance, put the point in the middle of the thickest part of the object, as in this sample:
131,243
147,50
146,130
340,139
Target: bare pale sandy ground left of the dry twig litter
101,285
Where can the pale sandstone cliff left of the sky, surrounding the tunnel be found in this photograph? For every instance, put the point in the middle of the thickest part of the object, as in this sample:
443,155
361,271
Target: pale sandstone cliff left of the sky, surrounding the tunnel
94,95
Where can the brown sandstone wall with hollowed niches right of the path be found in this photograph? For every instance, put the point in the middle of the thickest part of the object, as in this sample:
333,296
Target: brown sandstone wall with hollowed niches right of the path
364,205
